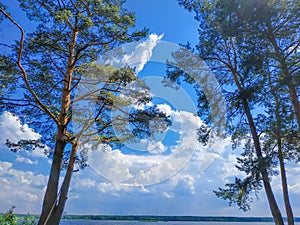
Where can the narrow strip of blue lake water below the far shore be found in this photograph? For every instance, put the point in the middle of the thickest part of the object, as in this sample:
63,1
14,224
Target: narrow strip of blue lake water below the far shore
99,222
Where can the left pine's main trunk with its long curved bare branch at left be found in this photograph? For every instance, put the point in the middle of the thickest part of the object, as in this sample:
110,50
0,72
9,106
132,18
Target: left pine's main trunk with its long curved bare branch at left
51,195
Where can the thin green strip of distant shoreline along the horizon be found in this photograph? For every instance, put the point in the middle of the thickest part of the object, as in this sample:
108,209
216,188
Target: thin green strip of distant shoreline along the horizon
151,218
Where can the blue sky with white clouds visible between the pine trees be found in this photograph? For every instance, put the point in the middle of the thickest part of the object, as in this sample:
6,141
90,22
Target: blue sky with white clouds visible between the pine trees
142,183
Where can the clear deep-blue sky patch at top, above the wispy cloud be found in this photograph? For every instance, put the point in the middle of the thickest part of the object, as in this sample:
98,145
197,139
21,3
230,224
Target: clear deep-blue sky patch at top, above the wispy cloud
165,17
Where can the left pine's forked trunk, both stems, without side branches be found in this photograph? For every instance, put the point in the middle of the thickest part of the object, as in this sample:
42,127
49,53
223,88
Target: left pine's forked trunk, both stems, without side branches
52,207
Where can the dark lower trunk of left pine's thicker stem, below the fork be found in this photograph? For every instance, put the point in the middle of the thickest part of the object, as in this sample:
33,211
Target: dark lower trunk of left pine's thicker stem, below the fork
51,194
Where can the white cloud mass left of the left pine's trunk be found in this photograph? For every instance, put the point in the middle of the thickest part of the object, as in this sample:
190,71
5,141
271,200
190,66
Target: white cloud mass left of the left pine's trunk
19,185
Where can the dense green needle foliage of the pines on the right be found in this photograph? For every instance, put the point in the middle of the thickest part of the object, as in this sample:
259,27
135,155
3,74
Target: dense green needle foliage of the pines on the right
253,48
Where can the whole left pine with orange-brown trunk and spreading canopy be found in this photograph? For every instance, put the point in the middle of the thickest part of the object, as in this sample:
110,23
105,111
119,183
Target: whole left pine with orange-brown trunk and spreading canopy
65,93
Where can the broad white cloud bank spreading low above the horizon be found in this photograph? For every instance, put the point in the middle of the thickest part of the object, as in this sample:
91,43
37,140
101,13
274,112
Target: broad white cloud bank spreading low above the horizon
189,190
